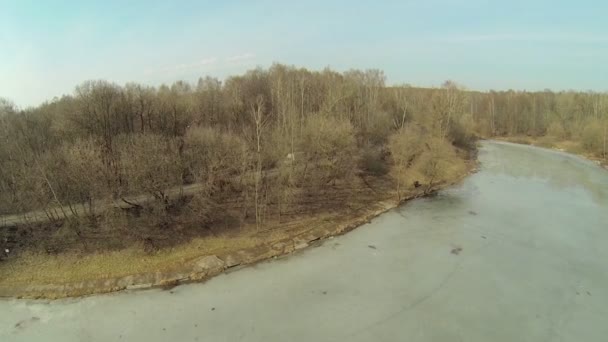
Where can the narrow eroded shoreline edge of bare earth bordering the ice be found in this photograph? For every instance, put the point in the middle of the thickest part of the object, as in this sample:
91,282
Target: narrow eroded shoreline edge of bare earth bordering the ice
206,266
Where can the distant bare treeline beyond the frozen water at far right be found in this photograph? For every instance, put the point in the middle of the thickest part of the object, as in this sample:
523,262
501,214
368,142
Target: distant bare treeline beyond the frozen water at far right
580,117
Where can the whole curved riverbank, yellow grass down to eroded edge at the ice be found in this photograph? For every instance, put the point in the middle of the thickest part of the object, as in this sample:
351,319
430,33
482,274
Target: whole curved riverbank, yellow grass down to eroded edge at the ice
73,275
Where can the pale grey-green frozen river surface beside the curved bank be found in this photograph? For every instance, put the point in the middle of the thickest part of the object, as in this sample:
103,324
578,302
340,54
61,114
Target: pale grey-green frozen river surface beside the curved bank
520,241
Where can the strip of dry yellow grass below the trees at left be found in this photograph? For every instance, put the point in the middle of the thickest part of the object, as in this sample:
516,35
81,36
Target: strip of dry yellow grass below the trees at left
71,267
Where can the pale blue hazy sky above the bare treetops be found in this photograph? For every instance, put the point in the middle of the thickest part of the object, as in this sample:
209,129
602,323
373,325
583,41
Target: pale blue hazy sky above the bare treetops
48,47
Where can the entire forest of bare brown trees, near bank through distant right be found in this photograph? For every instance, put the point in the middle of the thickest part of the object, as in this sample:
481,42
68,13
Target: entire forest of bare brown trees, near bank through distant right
256,146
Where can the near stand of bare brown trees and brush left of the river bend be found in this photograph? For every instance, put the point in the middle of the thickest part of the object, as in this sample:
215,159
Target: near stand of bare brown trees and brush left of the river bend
272,149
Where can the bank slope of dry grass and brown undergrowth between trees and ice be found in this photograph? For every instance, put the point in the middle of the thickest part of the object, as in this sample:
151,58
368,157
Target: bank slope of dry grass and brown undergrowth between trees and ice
332,211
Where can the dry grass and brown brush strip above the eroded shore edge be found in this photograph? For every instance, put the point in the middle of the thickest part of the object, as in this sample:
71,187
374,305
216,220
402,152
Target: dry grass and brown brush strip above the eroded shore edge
76,266
